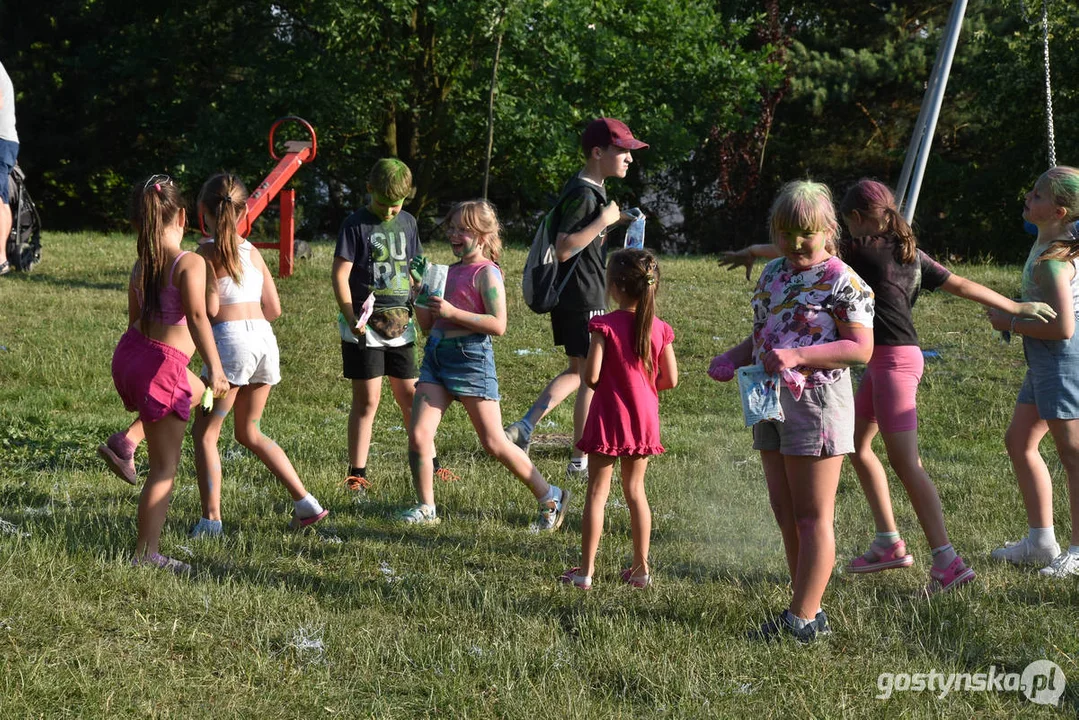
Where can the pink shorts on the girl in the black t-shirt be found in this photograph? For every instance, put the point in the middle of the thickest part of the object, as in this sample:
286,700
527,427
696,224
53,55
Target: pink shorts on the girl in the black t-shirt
887,395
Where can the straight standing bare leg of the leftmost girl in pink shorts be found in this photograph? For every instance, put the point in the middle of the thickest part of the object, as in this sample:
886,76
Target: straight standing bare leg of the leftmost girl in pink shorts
165,441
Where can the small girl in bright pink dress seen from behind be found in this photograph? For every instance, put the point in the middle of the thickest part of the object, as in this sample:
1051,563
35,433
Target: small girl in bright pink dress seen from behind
631,359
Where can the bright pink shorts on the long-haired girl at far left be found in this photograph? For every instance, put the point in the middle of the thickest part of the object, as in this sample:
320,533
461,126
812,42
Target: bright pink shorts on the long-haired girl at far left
152,377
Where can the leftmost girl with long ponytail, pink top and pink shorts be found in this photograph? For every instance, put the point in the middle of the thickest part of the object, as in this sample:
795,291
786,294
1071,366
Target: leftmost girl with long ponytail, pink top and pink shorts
167,310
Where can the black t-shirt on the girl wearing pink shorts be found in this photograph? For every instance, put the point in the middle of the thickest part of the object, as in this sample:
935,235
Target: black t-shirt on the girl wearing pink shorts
895,286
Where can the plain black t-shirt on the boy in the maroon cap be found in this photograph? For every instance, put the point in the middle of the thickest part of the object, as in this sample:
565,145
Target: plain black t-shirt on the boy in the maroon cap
588,288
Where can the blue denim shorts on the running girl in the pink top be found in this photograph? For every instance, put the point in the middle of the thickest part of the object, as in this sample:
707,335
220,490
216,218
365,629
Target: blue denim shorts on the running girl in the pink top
465,365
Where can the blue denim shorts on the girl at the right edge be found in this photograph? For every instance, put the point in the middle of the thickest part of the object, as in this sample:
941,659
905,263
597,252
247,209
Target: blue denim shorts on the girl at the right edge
1053,378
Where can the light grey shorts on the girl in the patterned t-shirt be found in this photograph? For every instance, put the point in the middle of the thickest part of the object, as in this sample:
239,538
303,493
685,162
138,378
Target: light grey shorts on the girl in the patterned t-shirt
820,425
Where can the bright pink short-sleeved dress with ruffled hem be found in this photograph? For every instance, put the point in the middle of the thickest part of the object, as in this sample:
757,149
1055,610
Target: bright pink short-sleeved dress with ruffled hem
624,417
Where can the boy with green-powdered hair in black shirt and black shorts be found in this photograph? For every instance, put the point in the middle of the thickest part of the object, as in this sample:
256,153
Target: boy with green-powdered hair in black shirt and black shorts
374,251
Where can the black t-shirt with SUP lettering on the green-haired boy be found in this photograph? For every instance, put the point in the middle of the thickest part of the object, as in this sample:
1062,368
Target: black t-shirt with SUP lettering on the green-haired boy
380,253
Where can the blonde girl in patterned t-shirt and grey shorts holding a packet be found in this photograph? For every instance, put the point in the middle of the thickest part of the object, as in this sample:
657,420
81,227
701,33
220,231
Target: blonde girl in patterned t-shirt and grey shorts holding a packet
812,314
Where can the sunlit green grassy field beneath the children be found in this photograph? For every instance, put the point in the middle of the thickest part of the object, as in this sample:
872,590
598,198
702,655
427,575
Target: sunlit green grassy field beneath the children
371,619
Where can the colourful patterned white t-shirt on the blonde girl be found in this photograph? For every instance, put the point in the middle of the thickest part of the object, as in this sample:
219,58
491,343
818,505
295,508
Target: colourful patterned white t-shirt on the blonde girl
795,309
